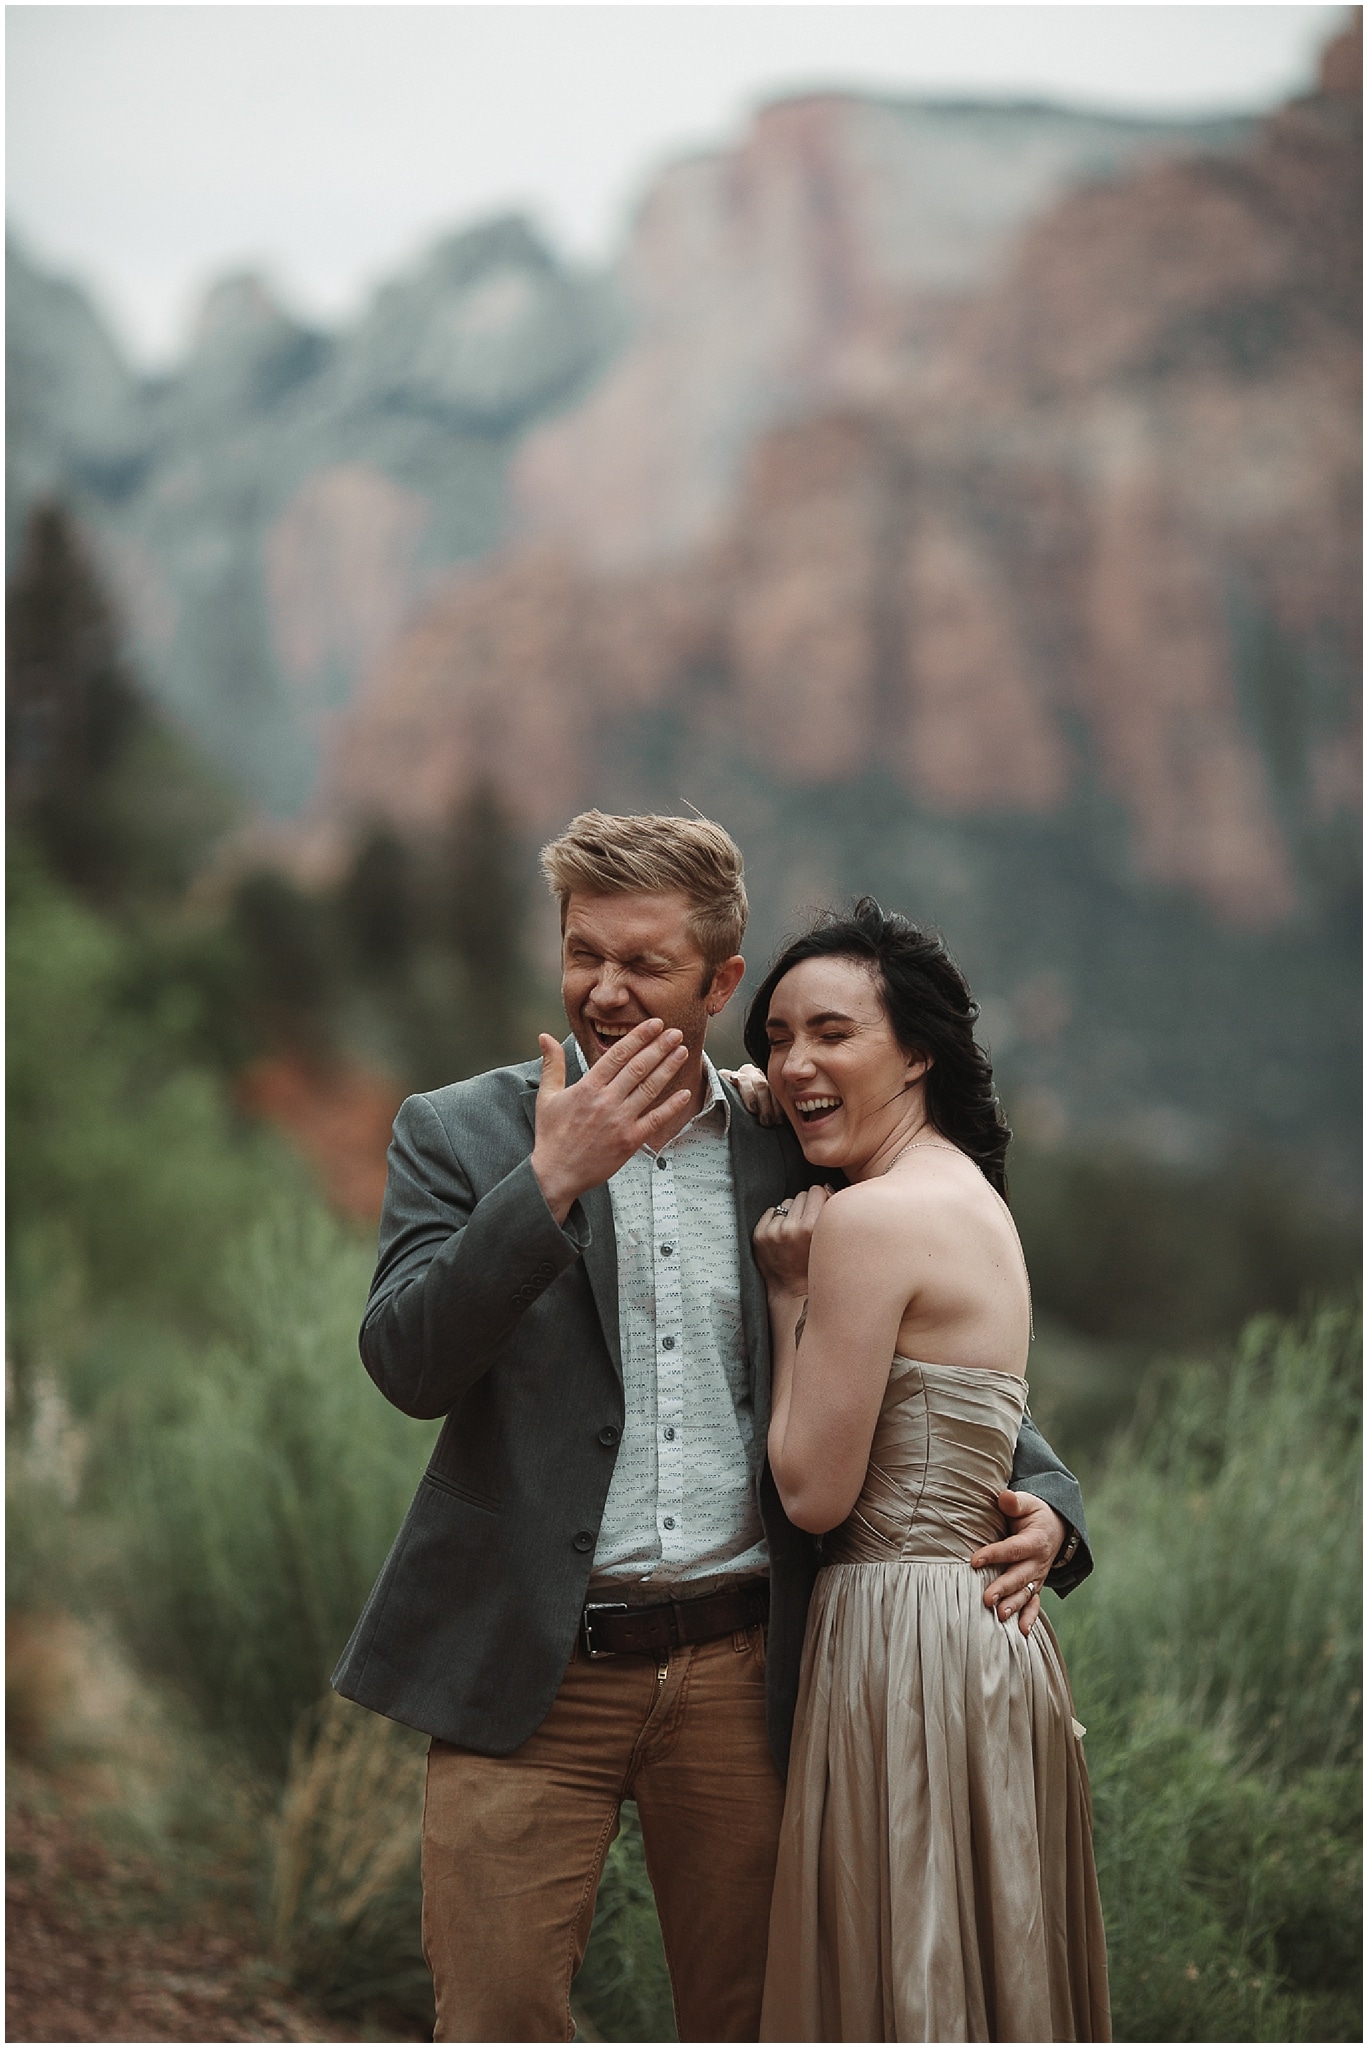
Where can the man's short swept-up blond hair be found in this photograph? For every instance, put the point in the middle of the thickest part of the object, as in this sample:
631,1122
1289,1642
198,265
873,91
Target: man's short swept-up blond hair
603,855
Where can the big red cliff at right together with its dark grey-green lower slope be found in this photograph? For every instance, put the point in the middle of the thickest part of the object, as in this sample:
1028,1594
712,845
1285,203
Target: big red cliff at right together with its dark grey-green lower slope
1052,638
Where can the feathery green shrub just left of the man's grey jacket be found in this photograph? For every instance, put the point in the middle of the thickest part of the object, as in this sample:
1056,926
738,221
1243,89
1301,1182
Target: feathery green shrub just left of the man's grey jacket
259,1510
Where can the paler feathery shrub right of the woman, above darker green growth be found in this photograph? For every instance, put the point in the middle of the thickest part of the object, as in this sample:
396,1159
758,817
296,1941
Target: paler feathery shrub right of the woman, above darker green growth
1228,1533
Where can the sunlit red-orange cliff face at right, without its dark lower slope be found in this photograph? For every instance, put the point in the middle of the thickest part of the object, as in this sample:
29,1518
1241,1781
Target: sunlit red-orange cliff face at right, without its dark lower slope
1056,552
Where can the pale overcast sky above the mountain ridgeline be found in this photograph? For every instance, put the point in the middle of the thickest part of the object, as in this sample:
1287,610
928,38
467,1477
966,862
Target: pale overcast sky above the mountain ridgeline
151,148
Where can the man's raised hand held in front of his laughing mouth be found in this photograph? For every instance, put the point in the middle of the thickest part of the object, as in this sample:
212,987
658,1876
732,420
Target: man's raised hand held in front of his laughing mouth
589,1132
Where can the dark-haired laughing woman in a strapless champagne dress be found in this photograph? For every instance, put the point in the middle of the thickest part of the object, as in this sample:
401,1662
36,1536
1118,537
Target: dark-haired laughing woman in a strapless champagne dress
935,1871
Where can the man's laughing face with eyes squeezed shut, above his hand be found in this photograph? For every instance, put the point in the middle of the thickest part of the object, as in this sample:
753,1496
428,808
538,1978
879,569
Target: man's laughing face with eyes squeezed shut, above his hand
634,957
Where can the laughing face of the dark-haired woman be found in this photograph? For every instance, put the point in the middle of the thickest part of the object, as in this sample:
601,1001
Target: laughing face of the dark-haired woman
837,1070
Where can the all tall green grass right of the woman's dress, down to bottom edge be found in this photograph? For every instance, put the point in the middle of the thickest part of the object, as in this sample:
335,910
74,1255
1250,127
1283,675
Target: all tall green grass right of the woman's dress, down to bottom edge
1215,1658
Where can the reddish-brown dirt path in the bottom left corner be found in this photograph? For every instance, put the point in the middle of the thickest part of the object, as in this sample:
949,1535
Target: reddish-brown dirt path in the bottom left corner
97,1953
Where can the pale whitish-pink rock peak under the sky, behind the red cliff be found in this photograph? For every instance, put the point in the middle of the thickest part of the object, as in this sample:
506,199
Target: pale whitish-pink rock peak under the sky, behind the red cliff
810,265
